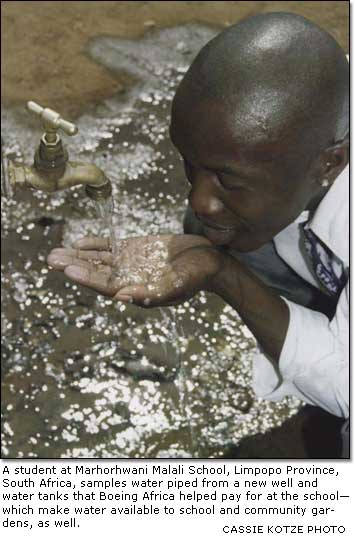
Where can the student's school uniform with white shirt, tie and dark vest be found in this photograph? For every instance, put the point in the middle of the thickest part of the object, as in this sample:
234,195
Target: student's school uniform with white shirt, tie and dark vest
308,265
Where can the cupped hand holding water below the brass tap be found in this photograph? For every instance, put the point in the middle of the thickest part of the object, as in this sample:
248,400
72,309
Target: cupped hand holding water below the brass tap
154,270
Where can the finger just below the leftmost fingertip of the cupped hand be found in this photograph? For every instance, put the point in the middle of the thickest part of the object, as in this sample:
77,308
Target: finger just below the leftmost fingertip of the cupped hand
101,281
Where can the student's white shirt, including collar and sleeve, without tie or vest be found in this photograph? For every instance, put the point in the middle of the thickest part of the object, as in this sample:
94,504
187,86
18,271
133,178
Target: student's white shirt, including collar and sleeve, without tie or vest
314,362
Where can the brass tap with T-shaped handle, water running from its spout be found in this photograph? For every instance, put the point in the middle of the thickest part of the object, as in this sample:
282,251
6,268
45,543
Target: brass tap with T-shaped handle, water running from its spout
51,170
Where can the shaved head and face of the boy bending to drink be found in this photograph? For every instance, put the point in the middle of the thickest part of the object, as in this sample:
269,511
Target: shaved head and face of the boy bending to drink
261,120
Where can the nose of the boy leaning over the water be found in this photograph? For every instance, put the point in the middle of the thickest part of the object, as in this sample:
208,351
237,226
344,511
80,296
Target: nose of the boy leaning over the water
203,196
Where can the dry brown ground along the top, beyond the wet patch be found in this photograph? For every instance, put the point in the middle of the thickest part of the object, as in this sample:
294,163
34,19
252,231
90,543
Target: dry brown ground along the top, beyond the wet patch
44,43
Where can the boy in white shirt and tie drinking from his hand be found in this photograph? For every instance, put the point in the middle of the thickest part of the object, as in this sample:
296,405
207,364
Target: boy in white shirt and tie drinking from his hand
261,121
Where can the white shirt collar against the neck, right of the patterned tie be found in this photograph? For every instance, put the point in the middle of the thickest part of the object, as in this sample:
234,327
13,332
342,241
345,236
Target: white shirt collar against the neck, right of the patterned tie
330,222
